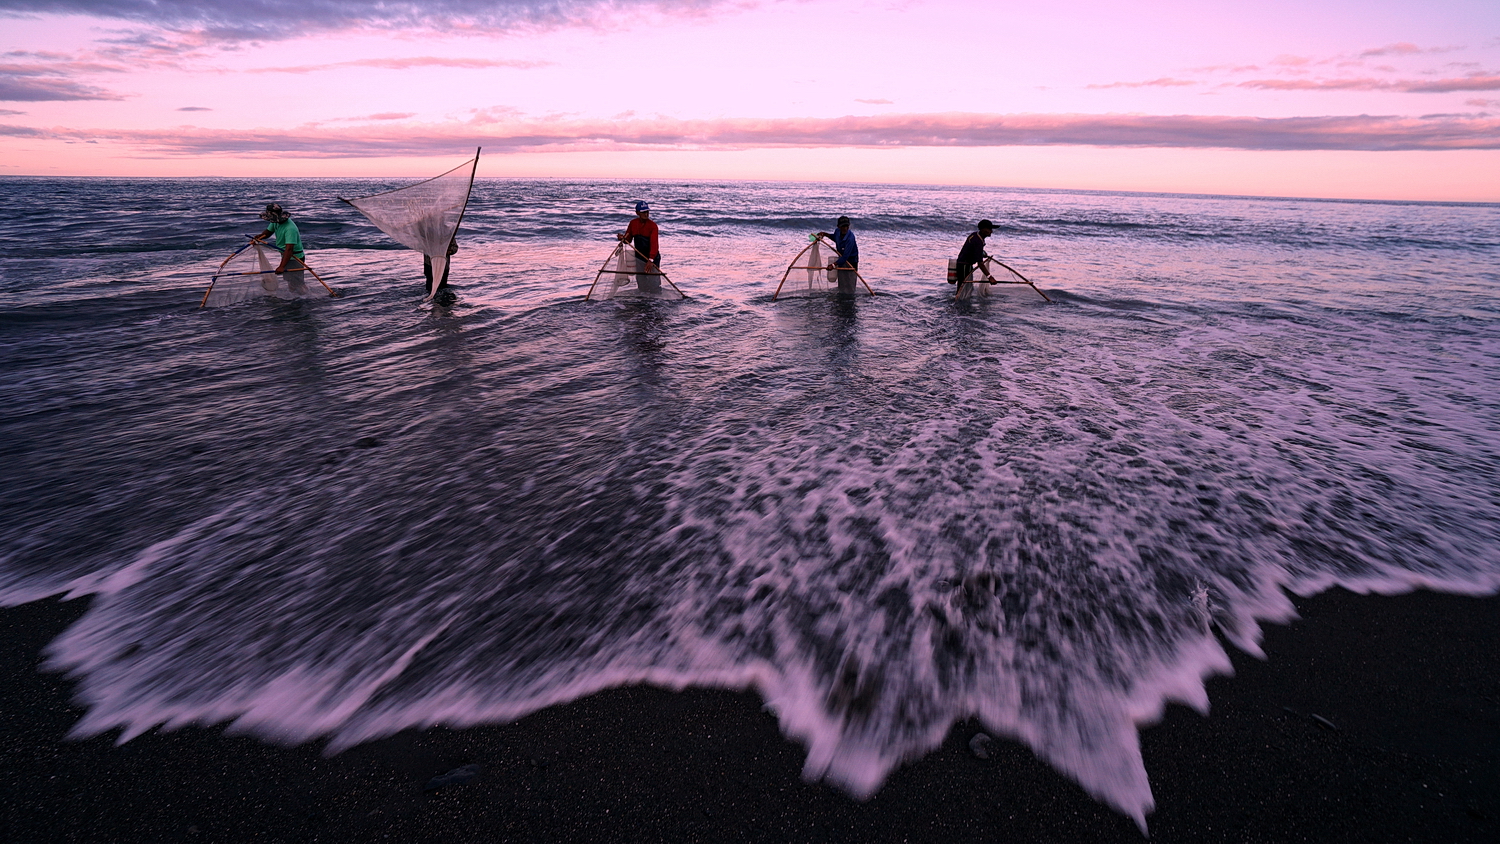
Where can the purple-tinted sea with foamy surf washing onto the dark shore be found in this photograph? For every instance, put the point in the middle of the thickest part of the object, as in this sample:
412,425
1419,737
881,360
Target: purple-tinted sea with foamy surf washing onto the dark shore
350,516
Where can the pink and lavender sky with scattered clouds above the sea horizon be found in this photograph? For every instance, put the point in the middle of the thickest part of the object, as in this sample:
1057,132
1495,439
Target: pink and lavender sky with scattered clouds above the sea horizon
1370,100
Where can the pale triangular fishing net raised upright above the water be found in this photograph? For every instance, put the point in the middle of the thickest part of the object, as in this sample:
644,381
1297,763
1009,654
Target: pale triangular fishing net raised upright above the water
424,217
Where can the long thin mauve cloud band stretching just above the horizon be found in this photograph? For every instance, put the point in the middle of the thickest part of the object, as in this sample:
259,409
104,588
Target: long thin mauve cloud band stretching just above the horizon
1355,133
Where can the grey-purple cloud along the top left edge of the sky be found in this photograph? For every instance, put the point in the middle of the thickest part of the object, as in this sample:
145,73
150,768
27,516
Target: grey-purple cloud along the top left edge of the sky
250,20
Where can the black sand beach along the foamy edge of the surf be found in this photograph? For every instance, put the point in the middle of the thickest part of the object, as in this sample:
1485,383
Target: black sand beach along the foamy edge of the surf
1373,720
